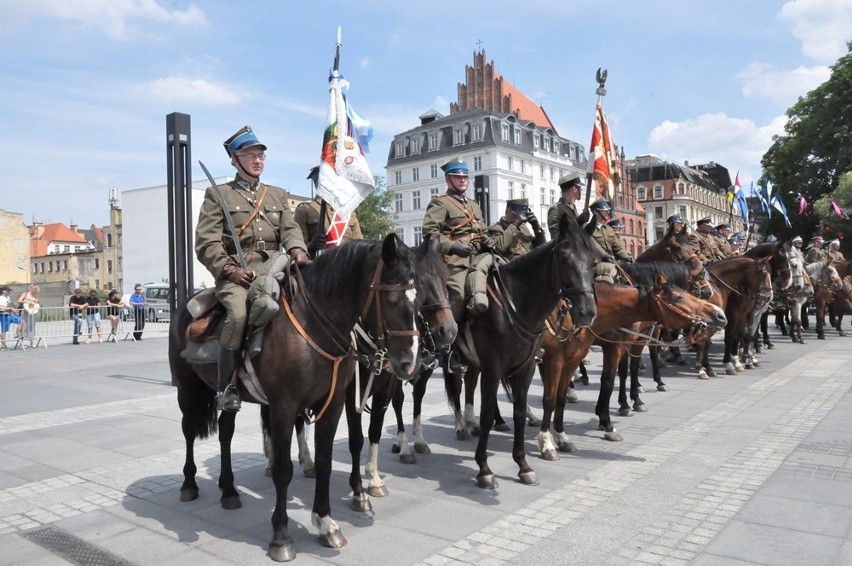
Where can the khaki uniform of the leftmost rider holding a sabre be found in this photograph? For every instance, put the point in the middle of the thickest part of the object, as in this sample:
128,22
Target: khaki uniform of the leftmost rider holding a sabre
261,234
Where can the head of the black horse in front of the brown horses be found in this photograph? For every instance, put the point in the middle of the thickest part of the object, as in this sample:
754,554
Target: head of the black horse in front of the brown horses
574,261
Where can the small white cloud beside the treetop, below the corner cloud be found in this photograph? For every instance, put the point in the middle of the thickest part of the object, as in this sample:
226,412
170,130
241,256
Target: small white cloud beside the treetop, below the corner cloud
784,87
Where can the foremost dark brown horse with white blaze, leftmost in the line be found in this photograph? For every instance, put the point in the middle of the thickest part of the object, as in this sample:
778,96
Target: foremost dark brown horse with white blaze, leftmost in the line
305,354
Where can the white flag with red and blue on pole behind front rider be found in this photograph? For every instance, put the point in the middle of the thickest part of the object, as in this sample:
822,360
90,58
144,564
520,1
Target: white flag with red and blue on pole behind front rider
344,177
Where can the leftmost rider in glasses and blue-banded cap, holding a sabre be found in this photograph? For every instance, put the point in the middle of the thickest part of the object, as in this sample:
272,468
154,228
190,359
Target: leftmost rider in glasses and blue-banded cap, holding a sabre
264,224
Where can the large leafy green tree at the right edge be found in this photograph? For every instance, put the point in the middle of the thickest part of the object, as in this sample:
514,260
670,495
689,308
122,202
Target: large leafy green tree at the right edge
816,149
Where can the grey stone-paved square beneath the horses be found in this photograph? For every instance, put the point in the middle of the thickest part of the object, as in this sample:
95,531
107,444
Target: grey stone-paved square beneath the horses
745,469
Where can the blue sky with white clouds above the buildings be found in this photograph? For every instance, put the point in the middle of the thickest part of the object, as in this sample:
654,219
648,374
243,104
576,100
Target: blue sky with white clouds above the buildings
85,85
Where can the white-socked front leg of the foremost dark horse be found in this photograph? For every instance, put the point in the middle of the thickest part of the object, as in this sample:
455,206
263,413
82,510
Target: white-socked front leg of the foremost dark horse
329,531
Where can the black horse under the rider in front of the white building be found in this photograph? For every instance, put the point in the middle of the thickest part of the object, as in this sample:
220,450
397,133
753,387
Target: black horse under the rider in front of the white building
503,341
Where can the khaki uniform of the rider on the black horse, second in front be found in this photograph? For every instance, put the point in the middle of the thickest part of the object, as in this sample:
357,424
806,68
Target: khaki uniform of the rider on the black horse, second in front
454,218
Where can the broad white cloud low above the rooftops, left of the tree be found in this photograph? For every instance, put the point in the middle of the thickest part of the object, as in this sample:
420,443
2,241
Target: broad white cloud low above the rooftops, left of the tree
735,143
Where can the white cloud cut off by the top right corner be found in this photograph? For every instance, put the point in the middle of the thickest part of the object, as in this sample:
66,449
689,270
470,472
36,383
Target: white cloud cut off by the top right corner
823,26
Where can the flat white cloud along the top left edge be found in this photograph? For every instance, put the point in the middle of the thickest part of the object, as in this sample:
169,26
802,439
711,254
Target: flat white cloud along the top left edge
116,18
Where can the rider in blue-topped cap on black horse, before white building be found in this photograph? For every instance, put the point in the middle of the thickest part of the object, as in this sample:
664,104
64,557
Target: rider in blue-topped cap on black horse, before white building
457,221
